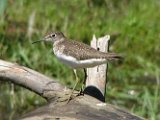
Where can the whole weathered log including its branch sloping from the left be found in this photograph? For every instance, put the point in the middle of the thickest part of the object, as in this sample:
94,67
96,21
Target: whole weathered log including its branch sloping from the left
81,107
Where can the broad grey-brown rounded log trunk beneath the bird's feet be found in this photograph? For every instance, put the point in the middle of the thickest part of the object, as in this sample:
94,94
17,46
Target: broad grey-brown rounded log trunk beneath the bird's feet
81,108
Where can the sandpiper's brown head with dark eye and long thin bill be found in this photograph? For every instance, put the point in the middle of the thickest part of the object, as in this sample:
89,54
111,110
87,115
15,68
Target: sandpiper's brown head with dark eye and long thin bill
52,37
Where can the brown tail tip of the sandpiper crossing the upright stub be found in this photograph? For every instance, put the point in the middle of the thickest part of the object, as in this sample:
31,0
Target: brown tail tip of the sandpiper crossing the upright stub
113,56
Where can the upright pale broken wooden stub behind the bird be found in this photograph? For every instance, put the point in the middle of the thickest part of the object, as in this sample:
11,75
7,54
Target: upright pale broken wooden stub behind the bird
96,76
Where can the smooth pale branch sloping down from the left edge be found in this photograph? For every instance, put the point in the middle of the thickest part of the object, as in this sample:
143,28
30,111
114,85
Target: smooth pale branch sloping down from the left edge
29,79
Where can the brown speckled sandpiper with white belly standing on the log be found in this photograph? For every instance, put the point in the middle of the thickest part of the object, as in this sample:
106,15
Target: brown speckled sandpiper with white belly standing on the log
76,54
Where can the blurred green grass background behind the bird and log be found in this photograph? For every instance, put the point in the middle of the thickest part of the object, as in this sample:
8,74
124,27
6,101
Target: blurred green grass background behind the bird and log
133,85
